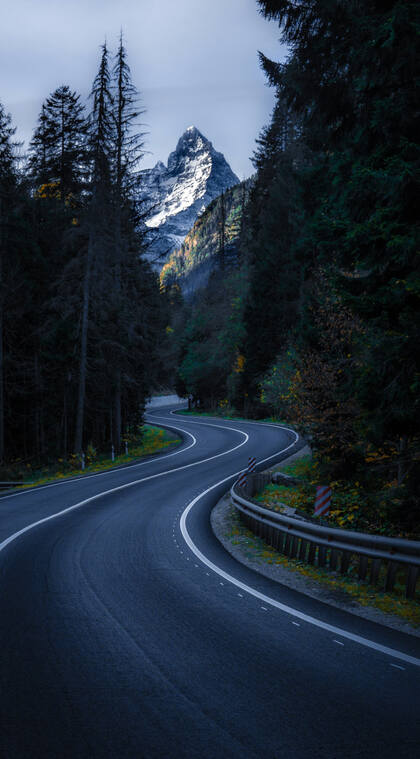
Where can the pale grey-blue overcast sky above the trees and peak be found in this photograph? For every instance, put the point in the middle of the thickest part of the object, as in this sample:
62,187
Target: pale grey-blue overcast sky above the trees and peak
194,61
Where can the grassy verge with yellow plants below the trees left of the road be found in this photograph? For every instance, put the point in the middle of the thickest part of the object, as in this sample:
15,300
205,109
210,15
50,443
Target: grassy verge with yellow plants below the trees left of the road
152,440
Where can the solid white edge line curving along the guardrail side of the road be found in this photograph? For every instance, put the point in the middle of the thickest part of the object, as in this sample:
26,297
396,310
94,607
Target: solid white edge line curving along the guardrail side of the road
267,599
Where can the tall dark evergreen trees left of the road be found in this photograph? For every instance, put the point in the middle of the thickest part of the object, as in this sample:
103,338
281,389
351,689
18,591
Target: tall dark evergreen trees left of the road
80,311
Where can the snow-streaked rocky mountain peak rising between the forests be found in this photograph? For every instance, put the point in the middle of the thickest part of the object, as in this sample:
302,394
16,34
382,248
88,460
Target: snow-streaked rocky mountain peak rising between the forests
177,194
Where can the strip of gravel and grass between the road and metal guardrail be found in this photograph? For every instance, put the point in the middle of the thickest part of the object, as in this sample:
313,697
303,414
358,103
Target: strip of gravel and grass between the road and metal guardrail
354,590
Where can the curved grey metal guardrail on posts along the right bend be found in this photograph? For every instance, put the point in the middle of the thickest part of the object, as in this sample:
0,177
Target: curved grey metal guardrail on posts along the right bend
313,542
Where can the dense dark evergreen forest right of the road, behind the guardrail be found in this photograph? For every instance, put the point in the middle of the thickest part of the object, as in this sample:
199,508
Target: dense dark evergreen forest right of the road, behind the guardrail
318,322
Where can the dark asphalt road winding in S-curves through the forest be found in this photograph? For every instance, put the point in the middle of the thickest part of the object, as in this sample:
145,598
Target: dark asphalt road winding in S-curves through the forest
127,631
